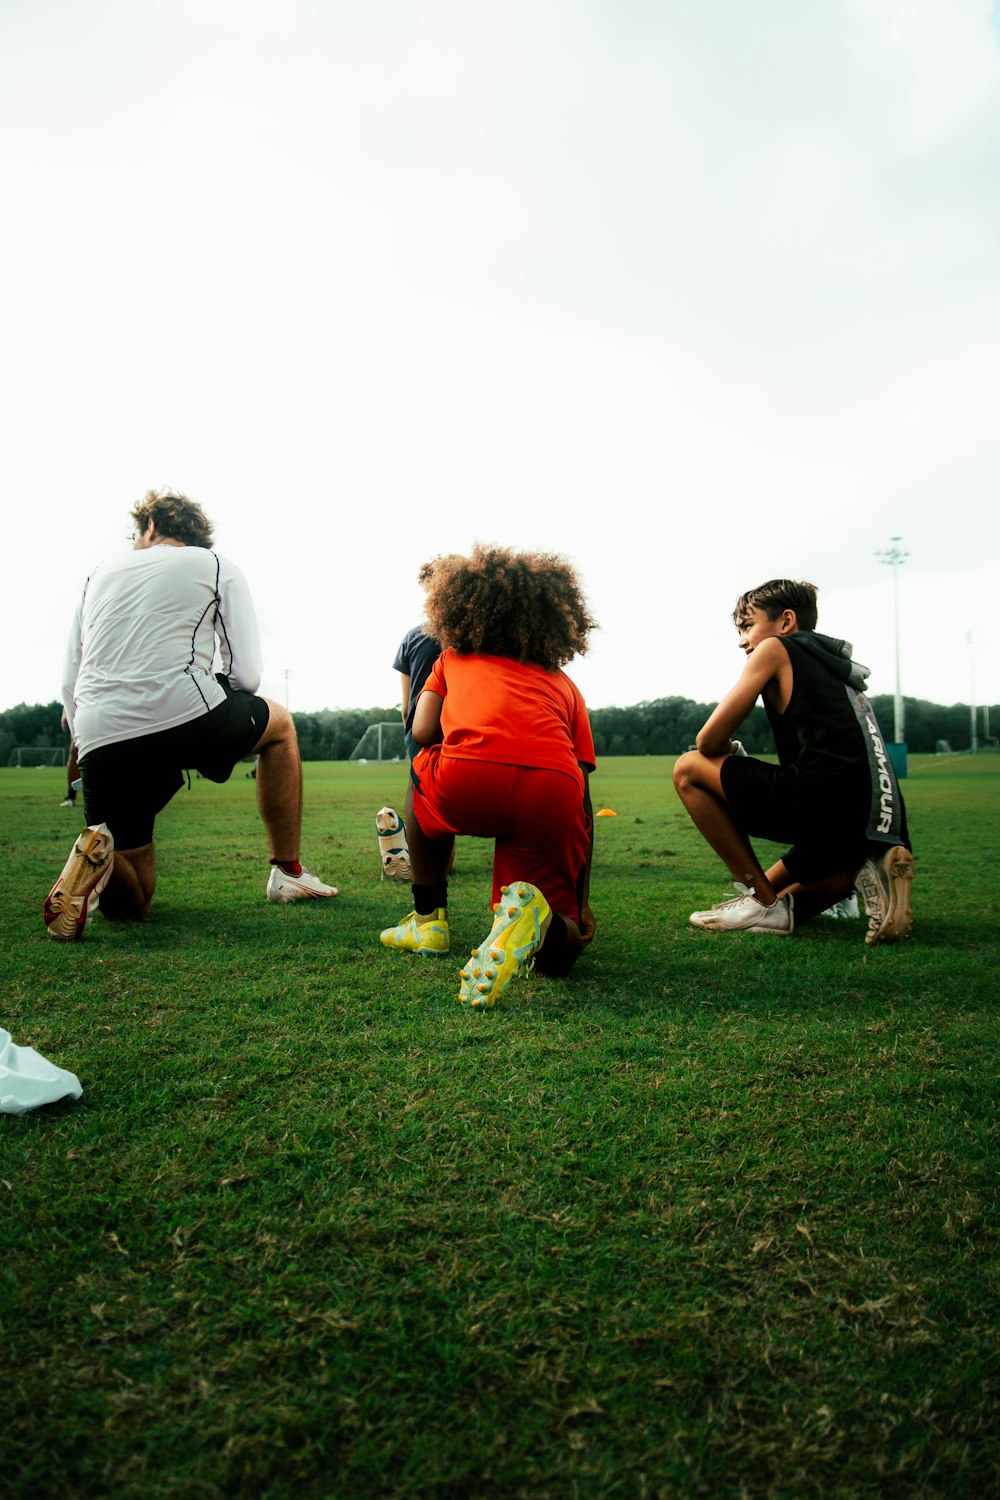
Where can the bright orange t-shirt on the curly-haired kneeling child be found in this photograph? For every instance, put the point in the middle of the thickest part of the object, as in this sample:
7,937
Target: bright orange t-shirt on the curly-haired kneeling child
512,713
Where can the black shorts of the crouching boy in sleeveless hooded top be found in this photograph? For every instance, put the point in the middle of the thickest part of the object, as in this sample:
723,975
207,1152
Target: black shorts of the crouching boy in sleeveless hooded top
822,821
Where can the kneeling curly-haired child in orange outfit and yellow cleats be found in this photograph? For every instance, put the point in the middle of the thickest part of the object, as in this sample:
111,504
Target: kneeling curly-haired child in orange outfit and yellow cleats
507,757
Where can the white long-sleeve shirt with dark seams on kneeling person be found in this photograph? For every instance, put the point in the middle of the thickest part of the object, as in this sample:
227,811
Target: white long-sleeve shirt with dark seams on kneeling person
143,647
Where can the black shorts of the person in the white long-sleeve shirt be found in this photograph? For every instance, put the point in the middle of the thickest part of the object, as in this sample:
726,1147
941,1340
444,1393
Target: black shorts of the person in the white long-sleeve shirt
130,782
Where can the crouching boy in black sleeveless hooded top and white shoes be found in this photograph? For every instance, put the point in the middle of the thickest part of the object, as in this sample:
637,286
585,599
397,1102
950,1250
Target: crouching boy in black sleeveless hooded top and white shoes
833,797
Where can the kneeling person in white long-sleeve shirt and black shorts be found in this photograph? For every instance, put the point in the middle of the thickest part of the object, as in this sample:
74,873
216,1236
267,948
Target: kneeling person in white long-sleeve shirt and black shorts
145,706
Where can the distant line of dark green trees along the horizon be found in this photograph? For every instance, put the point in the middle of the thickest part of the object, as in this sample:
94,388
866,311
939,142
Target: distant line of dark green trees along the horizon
660,727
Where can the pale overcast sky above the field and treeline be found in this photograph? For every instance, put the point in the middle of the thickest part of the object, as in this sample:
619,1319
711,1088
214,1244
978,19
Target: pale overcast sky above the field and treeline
693,292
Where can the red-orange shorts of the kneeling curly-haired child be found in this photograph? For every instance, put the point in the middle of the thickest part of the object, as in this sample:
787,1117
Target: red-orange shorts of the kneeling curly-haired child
536,817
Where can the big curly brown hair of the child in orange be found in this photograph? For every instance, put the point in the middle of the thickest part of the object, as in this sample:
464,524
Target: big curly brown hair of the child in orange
521,605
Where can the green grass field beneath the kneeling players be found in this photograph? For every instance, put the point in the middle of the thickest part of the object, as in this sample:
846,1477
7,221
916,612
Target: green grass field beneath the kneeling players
714,1217
